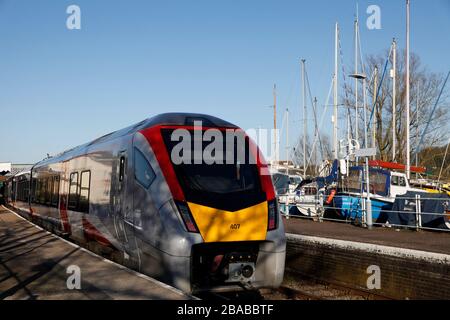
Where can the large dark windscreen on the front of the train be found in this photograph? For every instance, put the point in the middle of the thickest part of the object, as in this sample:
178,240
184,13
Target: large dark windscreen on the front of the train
221,179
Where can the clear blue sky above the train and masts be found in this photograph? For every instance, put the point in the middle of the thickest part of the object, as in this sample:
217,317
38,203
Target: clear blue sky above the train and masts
134,59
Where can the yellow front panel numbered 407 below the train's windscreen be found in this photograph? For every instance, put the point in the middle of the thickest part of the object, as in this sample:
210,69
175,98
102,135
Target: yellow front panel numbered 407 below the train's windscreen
215,225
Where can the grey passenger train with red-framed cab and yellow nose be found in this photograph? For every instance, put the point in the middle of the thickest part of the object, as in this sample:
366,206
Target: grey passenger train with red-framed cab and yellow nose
197,225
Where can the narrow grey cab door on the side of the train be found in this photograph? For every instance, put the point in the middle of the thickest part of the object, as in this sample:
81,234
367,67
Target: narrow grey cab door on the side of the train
123,215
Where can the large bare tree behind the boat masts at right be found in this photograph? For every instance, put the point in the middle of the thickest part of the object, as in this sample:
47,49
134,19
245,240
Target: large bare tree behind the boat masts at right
424,87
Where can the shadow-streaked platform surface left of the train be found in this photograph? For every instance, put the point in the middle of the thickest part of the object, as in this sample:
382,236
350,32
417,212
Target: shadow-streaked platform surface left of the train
33,265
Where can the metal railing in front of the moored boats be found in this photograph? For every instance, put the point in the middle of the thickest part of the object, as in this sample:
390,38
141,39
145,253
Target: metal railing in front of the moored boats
405,212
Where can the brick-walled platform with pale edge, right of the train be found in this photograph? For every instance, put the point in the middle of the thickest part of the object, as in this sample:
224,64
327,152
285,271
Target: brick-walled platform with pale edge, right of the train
395,264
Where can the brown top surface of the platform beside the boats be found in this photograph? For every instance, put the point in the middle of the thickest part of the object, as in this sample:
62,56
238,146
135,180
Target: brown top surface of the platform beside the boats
429,241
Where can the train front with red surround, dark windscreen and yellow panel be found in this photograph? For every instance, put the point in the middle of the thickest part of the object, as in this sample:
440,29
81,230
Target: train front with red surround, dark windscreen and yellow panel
233,236
